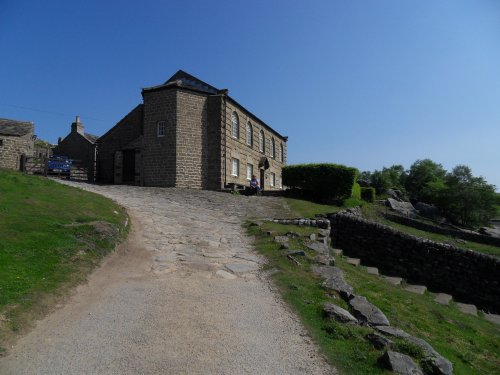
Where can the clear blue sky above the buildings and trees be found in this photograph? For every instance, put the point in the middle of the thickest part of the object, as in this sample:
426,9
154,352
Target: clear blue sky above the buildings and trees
363,83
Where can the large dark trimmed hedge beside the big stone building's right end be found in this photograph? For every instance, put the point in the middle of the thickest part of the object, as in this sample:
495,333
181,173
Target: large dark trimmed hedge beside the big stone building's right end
322,182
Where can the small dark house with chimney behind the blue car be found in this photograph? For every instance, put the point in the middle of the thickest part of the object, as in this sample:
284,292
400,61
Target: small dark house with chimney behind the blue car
78,145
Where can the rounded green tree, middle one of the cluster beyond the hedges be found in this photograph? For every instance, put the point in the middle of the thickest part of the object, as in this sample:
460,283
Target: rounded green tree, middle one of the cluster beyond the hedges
421,174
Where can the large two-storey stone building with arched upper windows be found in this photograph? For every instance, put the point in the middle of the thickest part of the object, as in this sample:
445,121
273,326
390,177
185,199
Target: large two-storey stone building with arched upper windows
189,134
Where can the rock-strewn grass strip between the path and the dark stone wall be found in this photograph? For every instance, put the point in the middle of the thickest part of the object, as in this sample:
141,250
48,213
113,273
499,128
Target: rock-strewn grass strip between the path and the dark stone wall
471,343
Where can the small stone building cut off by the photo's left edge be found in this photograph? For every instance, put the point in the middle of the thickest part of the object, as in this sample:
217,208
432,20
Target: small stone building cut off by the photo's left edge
16,139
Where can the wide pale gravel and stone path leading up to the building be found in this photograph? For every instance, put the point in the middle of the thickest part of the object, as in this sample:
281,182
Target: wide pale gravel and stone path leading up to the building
183,295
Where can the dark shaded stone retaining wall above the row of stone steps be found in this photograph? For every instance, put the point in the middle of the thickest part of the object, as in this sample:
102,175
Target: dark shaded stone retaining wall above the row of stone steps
468,276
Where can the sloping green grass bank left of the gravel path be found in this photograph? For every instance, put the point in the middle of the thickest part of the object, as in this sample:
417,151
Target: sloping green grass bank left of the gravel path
41,254
